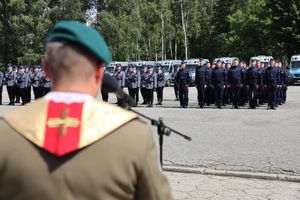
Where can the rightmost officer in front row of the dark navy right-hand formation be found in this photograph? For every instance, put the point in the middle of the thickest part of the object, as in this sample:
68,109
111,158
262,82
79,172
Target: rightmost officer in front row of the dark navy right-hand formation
270,80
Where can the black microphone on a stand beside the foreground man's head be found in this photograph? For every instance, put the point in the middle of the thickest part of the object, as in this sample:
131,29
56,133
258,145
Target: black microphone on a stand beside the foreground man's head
110,85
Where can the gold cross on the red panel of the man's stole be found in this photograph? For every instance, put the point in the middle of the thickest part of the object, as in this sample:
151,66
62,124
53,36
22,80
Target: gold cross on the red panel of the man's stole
64,122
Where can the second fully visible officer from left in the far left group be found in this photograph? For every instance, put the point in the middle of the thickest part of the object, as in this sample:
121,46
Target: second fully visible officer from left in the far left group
22,84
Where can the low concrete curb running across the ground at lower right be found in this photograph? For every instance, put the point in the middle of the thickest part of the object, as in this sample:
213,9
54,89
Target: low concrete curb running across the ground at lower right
240,174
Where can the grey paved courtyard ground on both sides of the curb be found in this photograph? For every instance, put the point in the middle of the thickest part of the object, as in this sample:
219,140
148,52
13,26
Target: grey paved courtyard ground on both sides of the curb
238,140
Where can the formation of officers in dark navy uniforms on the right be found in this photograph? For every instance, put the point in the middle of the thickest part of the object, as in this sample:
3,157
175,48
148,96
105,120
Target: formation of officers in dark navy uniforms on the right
236,84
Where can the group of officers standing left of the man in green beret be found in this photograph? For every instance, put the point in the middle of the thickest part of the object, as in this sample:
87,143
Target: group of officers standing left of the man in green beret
19,81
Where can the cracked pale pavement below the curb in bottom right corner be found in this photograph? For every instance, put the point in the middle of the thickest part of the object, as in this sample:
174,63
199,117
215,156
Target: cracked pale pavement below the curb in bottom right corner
186,186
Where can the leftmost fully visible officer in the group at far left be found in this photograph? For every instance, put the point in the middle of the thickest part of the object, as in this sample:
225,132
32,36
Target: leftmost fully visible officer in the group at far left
10,80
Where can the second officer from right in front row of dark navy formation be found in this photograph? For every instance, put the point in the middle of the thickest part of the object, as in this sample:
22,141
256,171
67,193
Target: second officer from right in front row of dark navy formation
252,78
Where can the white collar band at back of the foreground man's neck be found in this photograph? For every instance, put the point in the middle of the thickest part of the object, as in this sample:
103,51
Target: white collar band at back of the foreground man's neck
68,97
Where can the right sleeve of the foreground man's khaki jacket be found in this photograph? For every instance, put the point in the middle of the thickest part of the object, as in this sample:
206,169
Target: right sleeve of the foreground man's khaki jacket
152,184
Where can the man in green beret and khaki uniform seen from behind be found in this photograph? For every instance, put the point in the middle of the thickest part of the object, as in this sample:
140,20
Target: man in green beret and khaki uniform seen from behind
72,146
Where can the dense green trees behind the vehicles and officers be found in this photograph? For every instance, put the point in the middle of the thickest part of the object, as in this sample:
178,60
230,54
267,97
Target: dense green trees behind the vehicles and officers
157,29
